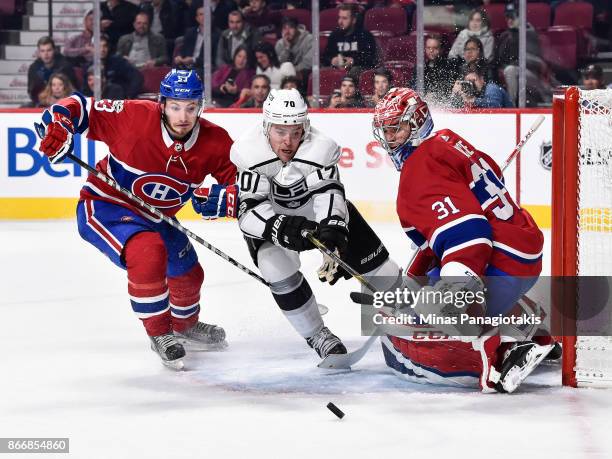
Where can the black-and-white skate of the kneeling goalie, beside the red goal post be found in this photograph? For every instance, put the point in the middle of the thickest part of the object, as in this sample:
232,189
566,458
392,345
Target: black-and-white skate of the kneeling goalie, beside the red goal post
519,361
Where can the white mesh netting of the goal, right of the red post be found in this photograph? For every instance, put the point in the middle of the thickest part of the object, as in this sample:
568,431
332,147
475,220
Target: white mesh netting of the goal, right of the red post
594,353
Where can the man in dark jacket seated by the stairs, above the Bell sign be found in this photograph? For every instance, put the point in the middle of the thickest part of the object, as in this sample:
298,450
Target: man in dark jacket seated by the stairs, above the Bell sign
49,61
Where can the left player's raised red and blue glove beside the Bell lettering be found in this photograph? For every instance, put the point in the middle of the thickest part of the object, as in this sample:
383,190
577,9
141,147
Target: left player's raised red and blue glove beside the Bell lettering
56,131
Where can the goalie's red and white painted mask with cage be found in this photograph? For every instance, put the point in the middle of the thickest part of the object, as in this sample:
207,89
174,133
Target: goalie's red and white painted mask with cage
401,109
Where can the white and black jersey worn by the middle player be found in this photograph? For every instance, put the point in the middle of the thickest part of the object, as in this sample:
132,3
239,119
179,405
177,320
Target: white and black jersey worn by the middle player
308,185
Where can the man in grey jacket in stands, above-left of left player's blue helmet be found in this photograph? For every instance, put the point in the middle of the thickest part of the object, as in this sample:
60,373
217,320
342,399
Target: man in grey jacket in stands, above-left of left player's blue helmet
142,48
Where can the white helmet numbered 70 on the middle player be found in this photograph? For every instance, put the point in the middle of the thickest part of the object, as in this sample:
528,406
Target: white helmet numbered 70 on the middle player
285,106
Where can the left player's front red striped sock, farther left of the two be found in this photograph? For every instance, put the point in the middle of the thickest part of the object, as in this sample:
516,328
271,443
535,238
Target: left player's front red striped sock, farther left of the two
145,259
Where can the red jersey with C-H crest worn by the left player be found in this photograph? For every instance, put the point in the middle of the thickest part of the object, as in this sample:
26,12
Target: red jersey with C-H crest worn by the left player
143,156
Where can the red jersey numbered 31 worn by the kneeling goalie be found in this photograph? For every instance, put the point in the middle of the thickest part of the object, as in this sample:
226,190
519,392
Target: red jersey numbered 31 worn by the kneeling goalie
453,205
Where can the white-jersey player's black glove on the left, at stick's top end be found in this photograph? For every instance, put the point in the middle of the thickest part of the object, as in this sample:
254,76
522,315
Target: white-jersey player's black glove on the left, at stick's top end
286,231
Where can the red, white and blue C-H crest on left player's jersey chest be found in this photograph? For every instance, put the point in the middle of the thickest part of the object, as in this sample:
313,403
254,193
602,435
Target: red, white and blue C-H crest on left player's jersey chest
160,190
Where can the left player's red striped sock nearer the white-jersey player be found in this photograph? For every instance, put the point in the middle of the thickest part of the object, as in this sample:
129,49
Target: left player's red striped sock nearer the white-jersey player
185,298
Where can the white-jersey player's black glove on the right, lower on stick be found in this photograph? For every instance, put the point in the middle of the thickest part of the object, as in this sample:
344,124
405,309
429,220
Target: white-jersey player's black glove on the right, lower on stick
333,232
